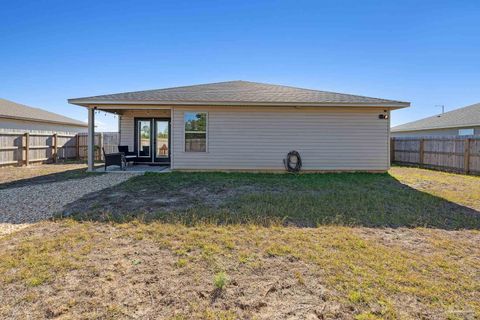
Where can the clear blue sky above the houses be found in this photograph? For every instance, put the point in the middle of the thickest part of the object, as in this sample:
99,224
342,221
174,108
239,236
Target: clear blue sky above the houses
425,52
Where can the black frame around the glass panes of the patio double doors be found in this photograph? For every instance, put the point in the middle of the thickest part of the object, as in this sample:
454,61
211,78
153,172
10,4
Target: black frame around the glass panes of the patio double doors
153,158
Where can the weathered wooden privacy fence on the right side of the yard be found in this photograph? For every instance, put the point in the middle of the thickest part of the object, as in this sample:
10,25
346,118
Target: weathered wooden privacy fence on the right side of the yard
445,153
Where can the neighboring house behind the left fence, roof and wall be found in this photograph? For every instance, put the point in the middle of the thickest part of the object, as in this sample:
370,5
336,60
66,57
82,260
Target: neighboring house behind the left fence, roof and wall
15,117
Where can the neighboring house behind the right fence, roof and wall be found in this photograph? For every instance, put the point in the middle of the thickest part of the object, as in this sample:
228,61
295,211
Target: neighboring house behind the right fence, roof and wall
460,122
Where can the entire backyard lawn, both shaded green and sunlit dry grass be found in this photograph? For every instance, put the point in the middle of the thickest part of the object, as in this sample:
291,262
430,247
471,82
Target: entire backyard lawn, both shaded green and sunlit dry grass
241,246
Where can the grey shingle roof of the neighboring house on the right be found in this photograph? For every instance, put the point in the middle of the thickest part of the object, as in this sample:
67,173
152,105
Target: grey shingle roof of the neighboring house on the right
463,117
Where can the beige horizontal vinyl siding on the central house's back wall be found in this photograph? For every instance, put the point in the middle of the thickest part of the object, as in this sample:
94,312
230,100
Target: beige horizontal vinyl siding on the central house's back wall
247,138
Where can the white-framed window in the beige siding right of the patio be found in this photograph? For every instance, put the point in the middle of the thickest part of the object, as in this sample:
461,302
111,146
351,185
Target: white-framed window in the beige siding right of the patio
195,131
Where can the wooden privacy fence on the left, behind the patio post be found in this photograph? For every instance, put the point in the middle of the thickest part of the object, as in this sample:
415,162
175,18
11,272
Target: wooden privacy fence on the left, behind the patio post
26,148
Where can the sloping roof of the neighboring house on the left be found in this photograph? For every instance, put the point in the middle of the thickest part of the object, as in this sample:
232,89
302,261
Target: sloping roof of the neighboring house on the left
13,110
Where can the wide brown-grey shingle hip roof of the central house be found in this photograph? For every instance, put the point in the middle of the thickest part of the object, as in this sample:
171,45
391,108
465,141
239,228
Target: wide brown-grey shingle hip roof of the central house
238,93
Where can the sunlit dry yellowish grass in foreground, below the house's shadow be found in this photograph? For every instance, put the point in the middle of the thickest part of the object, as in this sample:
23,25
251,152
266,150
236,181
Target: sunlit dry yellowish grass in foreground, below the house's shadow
97,270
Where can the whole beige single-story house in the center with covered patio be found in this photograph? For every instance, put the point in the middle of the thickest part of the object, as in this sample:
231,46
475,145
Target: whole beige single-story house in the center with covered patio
241,125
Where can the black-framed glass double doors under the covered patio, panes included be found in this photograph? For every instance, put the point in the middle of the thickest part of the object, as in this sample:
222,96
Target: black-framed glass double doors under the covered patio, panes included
152,140
